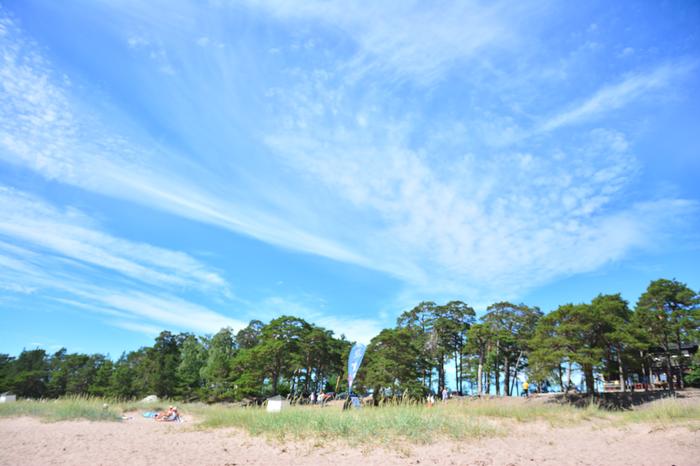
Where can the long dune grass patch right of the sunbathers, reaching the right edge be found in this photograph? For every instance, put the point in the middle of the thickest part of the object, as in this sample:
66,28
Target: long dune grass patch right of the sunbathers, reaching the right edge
420,424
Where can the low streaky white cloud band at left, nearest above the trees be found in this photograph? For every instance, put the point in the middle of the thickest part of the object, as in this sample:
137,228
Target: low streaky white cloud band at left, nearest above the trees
64,257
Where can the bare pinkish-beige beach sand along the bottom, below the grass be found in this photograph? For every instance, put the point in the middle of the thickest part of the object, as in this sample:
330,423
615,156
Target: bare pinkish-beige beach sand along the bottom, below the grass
140,441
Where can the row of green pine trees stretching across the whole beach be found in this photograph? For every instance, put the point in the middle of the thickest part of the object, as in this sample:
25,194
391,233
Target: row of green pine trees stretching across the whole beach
289,356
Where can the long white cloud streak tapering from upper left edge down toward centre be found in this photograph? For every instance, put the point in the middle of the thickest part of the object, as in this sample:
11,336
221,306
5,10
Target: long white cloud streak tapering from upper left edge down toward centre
40,128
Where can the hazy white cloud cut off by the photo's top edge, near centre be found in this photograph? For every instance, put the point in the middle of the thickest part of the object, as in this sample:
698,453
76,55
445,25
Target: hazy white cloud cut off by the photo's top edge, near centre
417,40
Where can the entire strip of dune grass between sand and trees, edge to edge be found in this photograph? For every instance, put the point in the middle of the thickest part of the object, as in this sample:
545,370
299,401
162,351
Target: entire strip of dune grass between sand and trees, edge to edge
456,420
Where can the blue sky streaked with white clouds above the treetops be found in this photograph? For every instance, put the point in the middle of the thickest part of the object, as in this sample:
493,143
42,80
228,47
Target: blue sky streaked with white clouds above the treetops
193,165
